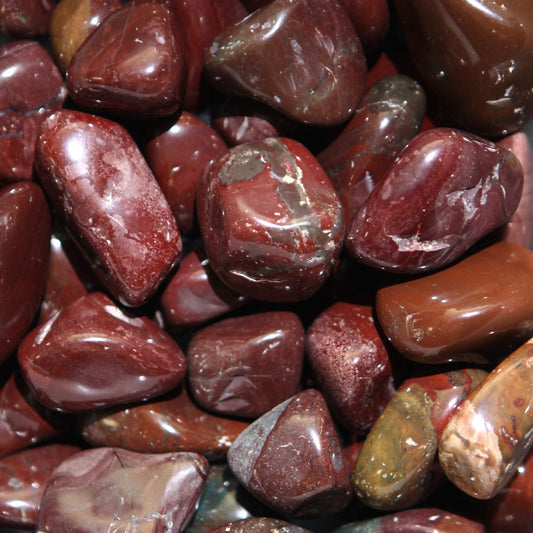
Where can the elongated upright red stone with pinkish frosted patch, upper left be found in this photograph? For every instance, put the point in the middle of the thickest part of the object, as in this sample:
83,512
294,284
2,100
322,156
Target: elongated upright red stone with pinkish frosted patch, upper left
101,186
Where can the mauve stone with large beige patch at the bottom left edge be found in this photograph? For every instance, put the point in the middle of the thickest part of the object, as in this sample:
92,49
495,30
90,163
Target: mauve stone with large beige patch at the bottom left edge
109,489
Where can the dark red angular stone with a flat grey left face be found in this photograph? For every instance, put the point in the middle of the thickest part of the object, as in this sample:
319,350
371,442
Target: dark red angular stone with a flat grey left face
291,459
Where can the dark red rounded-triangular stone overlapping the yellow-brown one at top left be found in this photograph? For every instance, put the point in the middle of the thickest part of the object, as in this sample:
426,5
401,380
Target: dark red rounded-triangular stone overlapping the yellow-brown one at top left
132,63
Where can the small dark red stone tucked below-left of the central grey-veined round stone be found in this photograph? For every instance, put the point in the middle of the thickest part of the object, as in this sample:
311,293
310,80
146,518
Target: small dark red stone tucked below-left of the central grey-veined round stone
194,294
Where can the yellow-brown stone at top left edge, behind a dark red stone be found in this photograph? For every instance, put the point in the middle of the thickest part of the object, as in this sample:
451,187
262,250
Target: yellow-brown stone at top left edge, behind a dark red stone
72,22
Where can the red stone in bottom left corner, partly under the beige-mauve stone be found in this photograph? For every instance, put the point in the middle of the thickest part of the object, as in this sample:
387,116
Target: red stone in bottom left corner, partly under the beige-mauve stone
23,477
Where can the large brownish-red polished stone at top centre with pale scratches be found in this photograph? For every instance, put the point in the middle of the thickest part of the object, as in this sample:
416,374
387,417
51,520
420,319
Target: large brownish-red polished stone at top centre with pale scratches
302,58
